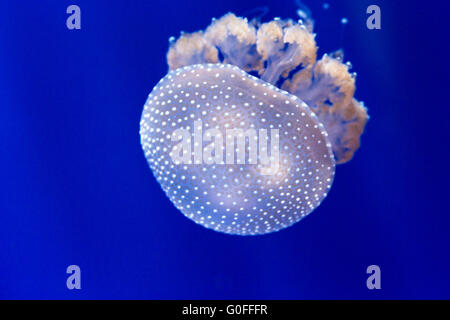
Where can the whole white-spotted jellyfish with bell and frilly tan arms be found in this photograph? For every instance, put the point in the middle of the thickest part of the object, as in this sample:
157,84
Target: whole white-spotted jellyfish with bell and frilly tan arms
244,132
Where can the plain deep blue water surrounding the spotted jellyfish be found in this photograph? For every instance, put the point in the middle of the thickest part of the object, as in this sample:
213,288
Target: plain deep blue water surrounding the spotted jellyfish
75,187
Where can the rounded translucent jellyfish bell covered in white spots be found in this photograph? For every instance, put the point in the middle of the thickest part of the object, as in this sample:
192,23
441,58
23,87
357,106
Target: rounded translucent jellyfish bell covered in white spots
222,193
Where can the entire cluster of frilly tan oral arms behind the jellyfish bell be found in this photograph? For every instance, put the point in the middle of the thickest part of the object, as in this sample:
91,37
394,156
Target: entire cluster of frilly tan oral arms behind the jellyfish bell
283,53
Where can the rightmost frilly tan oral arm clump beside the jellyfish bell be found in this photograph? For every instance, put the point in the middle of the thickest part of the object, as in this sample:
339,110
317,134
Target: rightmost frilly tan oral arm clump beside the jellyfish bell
330,95
